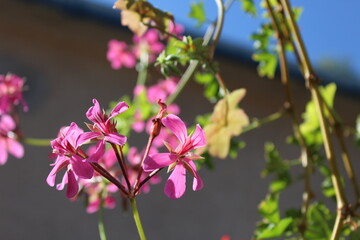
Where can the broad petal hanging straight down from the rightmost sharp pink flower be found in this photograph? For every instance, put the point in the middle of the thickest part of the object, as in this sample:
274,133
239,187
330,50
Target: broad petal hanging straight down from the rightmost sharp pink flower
176,184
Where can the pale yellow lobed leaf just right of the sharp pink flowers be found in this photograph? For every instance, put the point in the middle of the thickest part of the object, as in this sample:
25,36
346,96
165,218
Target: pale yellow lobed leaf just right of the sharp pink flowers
226,121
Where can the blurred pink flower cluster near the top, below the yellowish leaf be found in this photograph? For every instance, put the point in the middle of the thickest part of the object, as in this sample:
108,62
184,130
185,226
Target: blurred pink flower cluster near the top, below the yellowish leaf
120,54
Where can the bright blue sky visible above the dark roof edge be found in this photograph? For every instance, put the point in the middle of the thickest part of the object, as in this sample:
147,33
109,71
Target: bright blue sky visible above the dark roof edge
330,28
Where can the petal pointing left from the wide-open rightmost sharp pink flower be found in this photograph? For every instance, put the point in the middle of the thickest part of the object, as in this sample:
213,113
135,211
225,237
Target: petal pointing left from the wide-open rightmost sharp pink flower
158,160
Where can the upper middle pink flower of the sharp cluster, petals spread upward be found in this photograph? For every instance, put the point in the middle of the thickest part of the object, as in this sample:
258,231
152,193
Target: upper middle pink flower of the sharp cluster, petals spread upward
103,129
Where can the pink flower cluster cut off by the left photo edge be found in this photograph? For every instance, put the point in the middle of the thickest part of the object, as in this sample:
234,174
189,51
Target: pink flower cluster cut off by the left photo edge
11,88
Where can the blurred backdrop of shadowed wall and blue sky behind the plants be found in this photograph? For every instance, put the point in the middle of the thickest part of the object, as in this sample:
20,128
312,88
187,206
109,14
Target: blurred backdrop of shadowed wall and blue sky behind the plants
60,47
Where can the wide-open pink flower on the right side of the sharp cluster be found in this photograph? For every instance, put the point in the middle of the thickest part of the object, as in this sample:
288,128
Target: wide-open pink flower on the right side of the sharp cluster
179,159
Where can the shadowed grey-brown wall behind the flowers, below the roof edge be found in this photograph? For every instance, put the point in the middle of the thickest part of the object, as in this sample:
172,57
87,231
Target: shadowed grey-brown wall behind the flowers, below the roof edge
63,58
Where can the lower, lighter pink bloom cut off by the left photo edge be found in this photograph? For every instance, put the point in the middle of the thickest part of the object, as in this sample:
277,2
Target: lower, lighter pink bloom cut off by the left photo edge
8,142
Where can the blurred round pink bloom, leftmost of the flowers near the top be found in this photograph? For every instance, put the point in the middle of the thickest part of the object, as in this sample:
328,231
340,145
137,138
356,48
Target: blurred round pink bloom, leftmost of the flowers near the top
119,55
